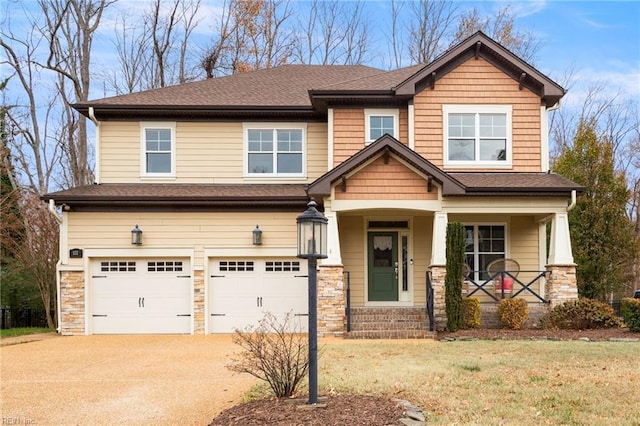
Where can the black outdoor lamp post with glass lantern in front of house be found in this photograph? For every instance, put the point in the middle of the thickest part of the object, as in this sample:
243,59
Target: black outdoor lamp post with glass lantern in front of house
312,245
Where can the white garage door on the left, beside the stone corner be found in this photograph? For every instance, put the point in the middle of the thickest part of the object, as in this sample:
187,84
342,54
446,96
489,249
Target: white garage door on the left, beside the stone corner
140,296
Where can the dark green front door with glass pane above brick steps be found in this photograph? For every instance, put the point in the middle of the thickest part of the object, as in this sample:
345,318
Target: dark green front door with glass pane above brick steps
383,266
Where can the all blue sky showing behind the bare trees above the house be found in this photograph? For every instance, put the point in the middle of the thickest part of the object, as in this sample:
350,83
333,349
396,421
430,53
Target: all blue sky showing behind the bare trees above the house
599,40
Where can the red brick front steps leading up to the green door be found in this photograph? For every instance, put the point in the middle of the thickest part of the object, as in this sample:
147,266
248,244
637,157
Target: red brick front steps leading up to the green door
389,323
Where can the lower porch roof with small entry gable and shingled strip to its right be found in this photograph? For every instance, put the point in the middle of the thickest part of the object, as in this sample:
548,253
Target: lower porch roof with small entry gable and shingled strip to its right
454,183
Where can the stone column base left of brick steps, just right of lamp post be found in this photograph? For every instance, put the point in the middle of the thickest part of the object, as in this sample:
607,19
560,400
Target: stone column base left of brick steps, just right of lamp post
331,300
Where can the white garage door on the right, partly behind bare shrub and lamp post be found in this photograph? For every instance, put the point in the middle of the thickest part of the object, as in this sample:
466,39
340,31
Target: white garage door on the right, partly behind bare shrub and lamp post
242,290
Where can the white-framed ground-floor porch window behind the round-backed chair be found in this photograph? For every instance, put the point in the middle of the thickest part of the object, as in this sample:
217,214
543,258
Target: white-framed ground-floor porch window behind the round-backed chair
484,244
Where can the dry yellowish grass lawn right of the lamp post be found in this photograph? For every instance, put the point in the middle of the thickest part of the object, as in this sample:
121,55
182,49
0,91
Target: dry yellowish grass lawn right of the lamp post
492,382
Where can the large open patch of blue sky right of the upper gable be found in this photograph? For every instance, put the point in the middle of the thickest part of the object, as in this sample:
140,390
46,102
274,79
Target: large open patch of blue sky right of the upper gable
599,39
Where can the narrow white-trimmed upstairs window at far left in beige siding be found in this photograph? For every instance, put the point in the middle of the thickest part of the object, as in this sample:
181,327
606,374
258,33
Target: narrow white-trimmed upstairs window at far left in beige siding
158,149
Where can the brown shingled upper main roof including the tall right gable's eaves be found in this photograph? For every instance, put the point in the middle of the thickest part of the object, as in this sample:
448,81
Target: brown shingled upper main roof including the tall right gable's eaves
303,92
